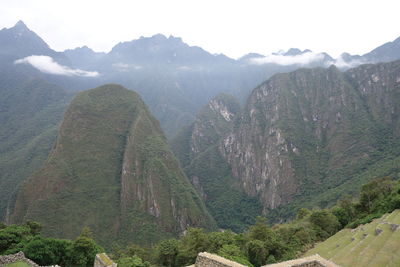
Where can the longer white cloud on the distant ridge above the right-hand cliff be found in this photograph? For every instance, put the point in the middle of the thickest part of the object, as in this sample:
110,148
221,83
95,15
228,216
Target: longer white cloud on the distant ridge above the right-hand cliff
303,59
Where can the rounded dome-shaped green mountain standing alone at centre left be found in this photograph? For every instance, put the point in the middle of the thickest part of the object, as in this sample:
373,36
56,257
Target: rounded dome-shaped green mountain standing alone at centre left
111,170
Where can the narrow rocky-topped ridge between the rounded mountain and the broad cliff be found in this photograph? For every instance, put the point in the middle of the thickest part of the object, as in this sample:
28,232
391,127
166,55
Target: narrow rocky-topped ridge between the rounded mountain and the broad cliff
197,148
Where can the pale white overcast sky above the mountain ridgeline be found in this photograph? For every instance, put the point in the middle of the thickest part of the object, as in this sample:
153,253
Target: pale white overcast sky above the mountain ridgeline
231,27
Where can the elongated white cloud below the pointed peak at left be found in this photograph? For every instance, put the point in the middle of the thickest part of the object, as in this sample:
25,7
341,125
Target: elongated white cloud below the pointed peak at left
48,65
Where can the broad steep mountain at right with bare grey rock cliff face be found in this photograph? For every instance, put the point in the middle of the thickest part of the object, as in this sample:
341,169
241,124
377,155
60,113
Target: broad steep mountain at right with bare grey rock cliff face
312,130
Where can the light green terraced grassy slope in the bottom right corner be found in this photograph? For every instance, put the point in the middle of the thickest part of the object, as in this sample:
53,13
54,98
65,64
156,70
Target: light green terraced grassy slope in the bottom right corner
370,251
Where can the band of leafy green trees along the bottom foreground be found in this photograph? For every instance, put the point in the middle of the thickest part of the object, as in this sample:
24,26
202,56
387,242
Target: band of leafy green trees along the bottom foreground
260,244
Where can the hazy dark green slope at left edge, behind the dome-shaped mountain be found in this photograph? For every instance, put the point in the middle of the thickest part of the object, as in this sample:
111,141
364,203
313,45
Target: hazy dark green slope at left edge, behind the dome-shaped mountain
30,111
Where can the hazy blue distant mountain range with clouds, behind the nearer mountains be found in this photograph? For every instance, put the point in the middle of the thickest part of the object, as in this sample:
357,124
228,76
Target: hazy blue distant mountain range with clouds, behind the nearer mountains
174,79
